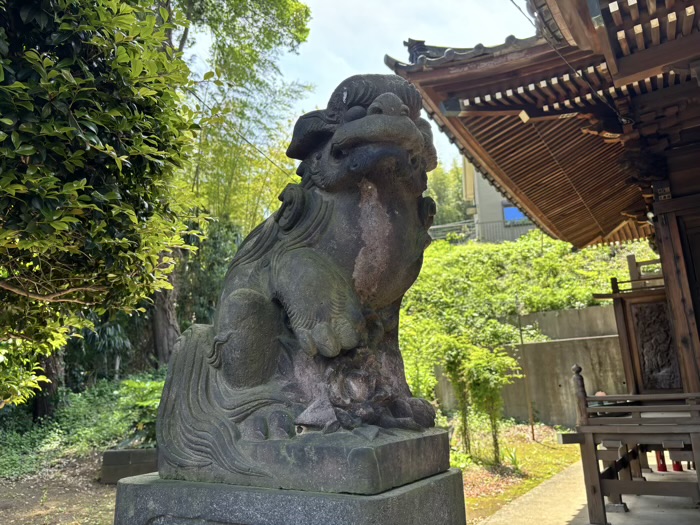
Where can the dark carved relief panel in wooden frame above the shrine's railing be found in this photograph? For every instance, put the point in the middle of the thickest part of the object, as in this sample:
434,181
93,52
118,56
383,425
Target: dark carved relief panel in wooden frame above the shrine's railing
658,358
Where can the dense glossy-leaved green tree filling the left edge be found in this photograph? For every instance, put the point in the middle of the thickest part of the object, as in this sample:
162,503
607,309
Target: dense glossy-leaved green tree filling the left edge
93,127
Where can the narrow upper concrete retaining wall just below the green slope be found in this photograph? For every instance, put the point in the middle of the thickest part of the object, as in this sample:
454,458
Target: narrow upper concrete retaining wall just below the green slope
568,324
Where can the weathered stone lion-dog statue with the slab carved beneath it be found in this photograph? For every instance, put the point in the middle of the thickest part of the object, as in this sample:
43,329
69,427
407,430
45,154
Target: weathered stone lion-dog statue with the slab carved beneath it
301,373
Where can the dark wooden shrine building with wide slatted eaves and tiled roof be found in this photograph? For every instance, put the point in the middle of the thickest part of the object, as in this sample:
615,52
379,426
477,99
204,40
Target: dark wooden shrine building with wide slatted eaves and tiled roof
592,128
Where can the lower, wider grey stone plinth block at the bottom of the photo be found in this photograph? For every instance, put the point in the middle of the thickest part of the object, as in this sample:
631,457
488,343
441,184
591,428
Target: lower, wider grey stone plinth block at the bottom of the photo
149,500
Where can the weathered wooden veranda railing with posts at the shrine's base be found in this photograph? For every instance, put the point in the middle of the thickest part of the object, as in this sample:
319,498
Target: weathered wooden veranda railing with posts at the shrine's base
619,430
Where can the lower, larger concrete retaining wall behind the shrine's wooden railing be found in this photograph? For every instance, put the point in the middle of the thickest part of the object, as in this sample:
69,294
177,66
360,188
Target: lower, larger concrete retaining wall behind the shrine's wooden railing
548,374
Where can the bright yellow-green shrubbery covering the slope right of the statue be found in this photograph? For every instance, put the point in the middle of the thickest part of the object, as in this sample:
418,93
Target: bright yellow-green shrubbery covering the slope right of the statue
464,307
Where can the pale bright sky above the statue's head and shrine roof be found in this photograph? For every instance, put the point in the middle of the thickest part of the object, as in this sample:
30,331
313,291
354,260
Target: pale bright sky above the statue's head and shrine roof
351,37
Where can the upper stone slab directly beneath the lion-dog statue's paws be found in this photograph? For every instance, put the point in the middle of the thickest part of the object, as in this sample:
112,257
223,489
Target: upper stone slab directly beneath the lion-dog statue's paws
367,460
